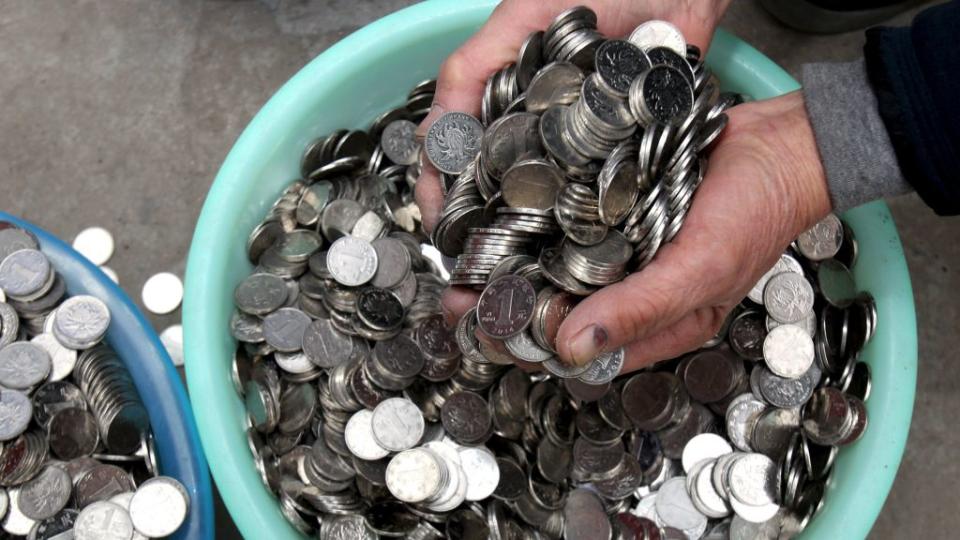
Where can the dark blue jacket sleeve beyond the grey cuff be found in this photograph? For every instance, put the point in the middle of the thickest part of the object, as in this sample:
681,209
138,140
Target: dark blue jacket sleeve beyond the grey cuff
915,74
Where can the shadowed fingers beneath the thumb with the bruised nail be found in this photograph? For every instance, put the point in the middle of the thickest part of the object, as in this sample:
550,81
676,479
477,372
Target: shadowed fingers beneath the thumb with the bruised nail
685,335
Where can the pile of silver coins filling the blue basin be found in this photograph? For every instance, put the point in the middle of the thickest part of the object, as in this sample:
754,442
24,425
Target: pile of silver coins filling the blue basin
77,453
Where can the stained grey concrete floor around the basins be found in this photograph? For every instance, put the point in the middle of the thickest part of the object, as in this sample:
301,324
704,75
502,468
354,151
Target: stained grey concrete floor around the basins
118,114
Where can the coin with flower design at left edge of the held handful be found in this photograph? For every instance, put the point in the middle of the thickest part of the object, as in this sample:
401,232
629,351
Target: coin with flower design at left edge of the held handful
453,141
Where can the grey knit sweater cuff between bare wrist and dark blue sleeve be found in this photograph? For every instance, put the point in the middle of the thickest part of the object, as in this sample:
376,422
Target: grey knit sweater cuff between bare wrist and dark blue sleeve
856,151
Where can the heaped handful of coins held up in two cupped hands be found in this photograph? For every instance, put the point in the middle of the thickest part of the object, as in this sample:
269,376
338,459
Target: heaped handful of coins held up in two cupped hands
584,163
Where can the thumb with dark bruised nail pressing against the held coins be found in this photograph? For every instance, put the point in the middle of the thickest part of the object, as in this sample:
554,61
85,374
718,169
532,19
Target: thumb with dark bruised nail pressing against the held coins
681,279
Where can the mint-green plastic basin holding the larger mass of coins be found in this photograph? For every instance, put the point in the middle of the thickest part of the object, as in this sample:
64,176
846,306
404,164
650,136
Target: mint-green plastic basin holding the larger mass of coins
371,70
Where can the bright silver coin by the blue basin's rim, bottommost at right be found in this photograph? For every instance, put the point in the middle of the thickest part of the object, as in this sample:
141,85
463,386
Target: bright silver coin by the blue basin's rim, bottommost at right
159,507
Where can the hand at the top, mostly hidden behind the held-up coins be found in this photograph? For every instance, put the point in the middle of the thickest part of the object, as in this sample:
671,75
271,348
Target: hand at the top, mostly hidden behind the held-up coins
464,74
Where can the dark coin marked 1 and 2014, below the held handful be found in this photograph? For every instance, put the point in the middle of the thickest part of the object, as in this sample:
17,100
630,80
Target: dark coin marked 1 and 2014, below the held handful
506,307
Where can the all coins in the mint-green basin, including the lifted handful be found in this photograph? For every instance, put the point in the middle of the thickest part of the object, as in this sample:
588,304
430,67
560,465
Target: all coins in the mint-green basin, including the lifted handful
369,417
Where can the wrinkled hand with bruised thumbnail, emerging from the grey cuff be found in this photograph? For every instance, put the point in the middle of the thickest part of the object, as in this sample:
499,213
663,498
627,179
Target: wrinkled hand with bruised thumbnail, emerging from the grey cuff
764,186
